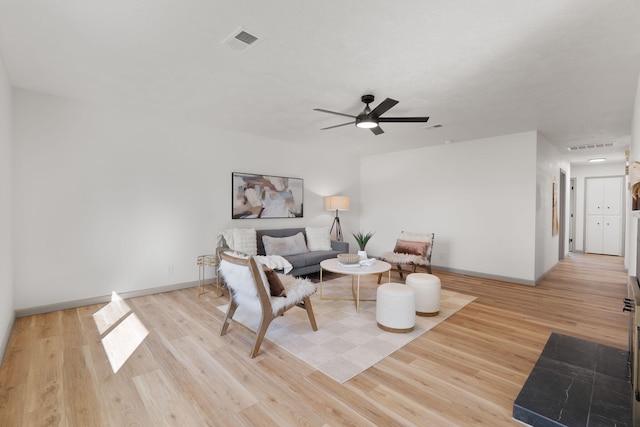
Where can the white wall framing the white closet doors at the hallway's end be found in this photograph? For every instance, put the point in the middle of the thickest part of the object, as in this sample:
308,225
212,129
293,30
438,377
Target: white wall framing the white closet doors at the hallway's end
581,173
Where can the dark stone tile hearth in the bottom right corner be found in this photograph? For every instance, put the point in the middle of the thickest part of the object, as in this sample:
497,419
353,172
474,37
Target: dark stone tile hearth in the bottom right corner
576,383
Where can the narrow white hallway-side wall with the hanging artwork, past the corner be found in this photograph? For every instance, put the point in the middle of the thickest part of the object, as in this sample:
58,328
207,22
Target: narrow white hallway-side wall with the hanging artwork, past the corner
549,163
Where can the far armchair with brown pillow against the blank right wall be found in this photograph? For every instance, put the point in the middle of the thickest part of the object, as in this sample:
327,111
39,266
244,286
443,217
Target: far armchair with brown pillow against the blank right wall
411,250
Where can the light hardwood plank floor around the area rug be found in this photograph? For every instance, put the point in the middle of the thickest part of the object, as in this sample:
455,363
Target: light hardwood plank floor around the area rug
466,371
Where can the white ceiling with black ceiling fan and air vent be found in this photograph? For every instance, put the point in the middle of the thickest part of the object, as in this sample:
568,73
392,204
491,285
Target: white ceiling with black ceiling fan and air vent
568,69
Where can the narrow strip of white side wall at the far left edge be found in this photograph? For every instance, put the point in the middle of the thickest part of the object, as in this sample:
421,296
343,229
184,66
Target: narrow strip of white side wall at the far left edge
6,208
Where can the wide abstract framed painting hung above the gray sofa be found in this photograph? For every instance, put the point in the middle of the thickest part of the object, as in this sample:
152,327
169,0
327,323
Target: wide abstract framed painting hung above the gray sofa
266,196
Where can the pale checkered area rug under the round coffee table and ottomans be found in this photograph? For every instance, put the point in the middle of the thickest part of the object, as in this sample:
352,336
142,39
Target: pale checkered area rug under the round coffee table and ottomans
346,343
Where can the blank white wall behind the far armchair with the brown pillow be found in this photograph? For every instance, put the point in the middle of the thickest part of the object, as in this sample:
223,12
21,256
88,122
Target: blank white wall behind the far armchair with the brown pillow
478,197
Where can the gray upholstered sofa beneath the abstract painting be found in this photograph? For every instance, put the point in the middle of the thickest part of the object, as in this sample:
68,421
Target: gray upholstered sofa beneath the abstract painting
305,263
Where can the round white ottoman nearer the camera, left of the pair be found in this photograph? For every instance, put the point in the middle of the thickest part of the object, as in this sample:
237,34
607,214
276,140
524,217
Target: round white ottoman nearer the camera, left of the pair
396,308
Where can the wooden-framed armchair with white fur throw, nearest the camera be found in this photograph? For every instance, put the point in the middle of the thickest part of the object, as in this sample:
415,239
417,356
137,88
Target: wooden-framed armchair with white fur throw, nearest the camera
249,287
